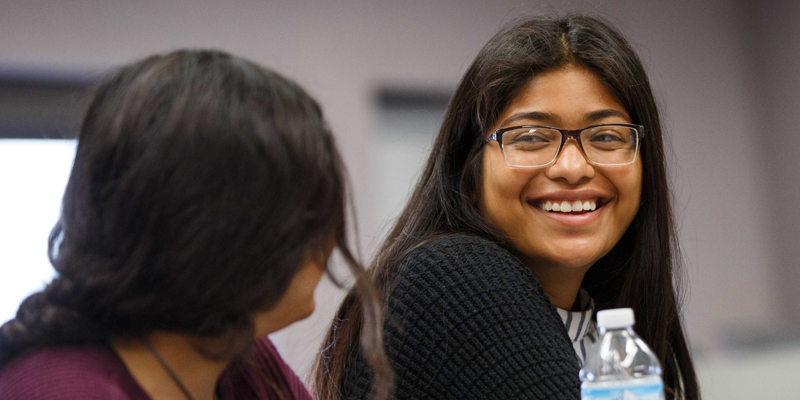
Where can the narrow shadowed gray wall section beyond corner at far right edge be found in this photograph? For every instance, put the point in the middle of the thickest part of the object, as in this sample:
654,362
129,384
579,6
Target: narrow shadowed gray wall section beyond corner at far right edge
775,68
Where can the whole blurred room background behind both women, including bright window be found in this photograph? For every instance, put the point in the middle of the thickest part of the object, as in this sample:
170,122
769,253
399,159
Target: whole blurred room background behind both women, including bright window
724,72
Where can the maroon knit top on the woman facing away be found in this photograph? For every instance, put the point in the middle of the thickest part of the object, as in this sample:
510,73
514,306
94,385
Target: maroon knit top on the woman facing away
90,372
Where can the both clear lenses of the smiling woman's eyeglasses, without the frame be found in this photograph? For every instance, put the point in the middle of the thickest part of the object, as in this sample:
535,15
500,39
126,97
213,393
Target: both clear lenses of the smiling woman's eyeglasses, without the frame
535,146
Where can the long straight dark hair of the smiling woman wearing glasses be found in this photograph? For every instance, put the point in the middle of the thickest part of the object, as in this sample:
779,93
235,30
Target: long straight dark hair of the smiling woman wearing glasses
639,272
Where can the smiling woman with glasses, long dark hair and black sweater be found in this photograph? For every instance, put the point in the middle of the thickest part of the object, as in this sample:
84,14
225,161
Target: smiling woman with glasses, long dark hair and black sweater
544,199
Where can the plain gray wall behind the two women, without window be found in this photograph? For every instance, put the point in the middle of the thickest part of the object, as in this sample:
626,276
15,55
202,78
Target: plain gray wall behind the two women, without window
725,87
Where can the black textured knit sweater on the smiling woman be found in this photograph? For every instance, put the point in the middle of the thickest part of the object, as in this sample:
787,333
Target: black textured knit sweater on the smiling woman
466,320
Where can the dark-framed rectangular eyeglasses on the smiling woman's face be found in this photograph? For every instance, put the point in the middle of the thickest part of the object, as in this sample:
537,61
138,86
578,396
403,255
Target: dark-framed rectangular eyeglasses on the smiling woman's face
538,146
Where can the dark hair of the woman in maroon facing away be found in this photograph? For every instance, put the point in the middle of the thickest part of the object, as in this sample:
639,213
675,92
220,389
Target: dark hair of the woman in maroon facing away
201,183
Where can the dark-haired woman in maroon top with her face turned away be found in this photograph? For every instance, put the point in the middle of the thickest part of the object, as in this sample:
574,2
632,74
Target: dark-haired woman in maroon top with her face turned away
205,199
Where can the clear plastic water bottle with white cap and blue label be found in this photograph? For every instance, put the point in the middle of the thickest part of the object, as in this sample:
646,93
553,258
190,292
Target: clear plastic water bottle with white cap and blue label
619,365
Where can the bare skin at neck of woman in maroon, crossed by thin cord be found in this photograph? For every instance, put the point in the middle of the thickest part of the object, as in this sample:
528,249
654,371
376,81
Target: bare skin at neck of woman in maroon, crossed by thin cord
196,373
